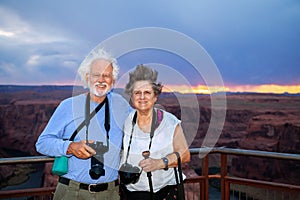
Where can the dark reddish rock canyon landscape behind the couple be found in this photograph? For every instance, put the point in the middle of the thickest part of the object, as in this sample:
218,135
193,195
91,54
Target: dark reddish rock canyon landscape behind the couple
266,122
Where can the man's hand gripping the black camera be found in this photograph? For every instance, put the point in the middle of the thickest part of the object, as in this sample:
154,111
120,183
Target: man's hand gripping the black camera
81,149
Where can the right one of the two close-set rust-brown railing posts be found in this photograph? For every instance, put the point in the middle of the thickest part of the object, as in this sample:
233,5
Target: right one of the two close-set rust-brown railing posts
225,188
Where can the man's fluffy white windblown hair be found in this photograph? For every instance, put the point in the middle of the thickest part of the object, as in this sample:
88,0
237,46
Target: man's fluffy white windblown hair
97,54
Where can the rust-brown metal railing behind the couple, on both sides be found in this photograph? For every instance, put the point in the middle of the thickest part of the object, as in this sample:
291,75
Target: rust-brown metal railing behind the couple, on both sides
196,187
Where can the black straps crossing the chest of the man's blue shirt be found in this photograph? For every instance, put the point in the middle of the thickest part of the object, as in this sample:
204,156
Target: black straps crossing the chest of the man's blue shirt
89,116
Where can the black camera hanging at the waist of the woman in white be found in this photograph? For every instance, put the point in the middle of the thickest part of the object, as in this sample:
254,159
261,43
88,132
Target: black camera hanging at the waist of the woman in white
129,174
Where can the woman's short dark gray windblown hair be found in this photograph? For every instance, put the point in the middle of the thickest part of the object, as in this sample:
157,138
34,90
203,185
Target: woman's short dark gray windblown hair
143,73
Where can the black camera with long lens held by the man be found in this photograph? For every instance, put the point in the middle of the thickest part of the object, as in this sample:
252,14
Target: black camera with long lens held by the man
97,167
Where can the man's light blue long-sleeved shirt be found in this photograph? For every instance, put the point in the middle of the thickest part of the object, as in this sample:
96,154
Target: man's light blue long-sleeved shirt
66,118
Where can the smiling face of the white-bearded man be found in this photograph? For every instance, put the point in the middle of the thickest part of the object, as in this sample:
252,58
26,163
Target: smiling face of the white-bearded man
100,78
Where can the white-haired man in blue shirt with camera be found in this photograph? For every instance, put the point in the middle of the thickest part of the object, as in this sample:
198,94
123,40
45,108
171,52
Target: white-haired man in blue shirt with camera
93,155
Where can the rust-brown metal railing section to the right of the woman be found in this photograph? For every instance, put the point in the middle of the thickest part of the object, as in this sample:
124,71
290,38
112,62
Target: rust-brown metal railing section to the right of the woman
227,181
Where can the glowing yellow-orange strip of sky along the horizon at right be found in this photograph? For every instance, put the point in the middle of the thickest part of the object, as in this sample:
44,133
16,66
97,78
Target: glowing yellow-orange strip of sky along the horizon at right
202,89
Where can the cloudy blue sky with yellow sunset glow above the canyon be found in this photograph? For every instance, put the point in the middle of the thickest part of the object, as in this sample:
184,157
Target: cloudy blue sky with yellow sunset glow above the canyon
254,44
